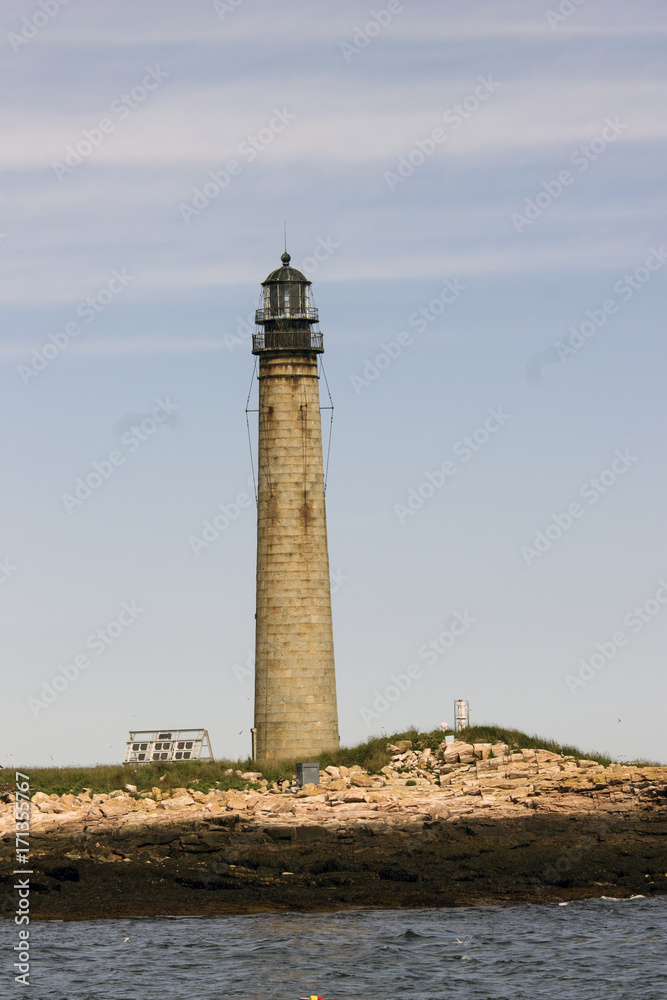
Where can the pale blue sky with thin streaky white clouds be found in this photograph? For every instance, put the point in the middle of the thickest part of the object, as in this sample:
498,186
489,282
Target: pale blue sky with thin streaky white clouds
477,193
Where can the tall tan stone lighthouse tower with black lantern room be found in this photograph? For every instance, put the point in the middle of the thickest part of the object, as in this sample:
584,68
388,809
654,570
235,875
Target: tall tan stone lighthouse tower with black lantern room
295,684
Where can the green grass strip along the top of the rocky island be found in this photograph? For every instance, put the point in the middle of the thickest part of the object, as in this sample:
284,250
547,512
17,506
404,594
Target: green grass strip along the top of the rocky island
204,775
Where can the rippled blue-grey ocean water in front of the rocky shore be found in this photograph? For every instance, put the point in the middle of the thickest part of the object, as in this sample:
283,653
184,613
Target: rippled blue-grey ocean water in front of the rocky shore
603,949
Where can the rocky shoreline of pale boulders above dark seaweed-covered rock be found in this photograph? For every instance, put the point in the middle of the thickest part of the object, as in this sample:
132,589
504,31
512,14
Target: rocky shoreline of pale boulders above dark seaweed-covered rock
475,824
